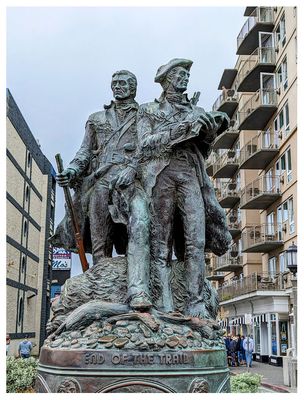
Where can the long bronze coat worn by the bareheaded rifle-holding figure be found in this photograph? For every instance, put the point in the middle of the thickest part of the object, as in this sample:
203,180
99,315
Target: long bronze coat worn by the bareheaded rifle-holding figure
106,139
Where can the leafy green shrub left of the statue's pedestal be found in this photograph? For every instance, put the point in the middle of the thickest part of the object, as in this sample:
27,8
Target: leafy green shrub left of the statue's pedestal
20,373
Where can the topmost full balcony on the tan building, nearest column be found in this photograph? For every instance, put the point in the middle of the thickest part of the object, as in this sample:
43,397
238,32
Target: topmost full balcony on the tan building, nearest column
260,20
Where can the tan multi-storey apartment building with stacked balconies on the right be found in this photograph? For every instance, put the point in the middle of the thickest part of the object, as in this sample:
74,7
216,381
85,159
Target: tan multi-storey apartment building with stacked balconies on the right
254,169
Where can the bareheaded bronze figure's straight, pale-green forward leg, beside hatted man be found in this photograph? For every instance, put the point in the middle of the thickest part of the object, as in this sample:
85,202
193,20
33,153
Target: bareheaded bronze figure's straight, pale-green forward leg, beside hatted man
139,252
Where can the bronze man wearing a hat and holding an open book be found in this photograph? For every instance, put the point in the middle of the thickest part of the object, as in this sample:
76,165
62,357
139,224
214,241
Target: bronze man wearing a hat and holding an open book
174,138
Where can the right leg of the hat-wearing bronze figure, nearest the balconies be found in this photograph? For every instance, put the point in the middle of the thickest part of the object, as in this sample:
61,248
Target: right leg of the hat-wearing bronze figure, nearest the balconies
191,207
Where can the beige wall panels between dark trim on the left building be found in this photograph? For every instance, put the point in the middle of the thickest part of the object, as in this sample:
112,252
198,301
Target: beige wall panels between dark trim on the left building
36,239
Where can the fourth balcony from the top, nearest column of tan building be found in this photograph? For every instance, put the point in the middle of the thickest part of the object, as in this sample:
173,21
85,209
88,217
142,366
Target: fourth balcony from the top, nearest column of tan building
259,152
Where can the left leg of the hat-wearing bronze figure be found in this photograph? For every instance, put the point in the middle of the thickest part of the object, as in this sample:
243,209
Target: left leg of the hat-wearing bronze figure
162,212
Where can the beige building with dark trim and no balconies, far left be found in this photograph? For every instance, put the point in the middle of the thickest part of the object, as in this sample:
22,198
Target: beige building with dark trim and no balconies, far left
30,205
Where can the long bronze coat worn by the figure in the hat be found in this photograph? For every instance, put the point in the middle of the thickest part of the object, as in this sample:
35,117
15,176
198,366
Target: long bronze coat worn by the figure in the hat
154,122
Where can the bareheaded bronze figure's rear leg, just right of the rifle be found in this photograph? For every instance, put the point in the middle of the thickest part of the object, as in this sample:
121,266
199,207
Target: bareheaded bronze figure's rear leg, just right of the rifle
101,223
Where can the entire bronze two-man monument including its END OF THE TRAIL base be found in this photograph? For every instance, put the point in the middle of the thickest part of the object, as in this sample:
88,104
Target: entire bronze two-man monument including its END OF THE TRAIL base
142,321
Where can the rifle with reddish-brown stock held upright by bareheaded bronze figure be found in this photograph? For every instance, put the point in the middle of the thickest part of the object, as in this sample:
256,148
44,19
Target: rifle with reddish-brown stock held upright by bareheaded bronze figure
69,202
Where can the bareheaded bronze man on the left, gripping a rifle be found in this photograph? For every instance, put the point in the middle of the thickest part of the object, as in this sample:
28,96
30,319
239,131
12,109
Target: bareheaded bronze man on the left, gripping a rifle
106,159
